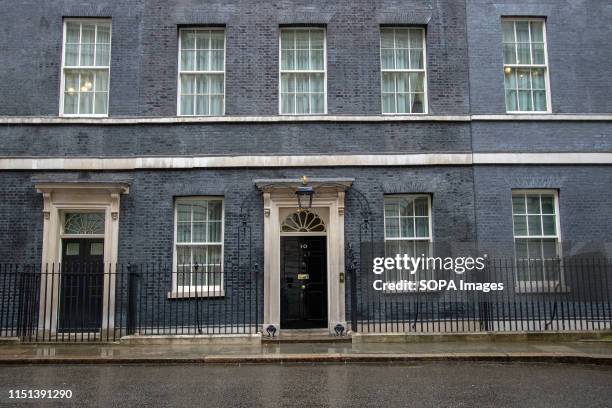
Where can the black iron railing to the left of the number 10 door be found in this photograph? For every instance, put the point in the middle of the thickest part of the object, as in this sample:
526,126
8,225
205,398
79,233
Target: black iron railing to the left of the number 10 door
95,302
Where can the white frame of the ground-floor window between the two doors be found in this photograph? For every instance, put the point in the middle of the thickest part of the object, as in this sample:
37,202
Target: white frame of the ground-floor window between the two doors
199,291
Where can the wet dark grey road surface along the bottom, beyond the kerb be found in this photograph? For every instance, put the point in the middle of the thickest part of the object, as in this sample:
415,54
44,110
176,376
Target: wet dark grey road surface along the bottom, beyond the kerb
431,384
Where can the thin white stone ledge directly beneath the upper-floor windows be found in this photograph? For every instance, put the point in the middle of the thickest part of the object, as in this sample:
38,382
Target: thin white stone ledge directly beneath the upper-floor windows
52,120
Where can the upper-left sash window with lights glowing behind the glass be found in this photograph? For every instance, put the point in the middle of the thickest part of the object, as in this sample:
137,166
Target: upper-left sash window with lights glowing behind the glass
85,68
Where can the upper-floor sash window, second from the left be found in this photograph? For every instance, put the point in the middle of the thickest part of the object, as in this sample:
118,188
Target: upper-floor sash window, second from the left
201,72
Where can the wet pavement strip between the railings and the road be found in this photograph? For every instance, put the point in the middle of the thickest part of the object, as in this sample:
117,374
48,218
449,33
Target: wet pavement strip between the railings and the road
97,353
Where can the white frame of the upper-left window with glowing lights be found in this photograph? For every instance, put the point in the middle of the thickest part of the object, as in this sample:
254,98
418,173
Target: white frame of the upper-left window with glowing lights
63,69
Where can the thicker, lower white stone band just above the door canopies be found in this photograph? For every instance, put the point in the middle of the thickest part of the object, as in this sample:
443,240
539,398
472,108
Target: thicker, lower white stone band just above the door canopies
360,160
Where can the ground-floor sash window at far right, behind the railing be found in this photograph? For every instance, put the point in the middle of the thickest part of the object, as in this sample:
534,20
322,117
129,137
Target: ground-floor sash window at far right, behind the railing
536,237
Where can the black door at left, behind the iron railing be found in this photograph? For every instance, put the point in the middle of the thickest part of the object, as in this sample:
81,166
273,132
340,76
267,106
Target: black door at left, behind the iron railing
82,285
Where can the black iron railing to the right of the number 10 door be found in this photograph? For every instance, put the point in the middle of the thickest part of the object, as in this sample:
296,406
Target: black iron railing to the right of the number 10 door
560,295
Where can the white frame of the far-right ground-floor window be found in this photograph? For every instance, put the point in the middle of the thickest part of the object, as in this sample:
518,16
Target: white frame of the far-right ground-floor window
527,286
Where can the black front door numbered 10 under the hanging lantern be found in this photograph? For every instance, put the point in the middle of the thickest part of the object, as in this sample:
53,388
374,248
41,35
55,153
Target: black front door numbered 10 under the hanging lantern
303,282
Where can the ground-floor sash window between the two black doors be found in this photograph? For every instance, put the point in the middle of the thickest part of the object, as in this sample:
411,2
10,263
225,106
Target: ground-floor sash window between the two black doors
198,252
